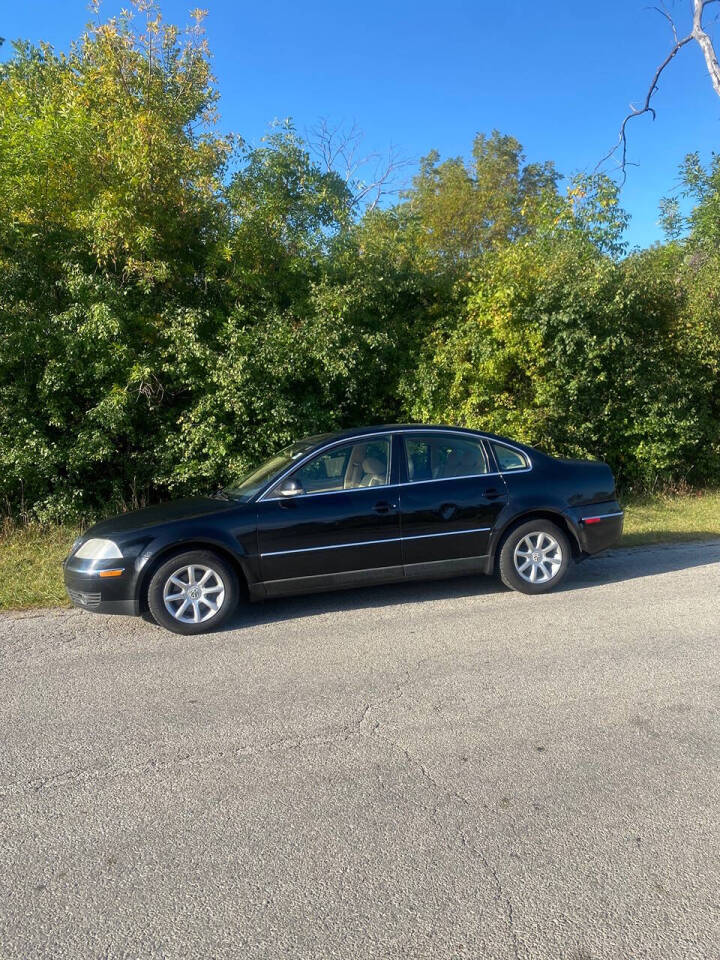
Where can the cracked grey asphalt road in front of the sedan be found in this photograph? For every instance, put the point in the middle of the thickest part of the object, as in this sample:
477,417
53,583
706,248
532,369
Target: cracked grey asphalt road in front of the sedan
428,771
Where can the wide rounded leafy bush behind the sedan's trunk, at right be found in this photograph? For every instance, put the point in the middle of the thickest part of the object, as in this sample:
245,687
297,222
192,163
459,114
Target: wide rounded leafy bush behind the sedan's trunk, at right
586,356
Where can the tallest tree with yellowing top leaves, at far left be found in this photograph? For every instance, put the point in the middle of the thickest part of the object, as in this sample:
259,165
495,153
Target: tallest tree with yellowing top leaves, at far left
111,210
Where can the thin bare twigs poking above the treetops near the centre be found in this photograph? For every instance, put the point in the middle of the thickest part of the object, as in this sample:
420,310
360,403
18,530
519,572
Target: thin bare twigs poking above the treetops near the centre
370,176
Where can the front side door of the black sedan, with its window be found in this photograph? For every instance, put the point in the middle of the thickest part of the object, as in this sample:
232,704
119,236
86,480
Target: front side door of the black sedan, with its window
341,525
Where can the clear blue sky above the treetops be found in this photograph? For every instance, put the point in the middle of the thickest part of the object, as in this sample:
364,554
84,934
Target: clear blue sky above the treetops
420,75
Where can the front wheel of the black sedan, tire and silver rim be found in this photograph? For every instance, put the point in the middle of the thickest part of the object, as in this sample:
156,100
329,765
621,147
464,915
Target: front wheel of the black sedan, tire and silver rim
223,583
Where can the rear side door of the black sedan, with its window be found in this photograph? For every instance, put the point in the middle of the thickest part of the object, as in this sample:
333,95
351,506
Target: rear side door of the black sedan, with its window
449,502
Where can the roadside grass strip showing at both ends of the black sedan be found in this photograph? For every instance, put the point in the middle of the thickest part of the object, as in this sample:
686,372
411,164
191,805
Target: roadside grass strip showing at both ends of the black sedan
30,573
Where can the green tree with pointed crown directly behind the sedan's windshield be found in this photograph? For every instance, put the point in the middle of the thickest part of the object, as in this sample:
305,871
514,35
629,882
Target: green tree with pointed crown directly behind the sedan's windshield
325,319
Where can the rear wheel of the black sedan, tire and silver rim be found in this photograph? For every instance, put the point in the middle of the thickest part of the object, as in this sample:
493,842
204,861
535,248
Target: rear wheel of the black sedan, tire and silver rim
553,563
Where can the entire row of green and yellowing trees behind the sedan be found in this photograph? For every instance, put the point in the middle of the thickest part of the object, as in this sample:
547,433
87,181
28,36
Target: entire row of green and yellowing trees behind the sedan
175,304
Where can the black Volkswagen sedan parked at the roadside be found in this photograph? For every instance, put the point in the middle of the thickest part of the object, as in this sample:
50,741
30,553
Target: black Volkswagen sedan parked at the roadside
359,507
